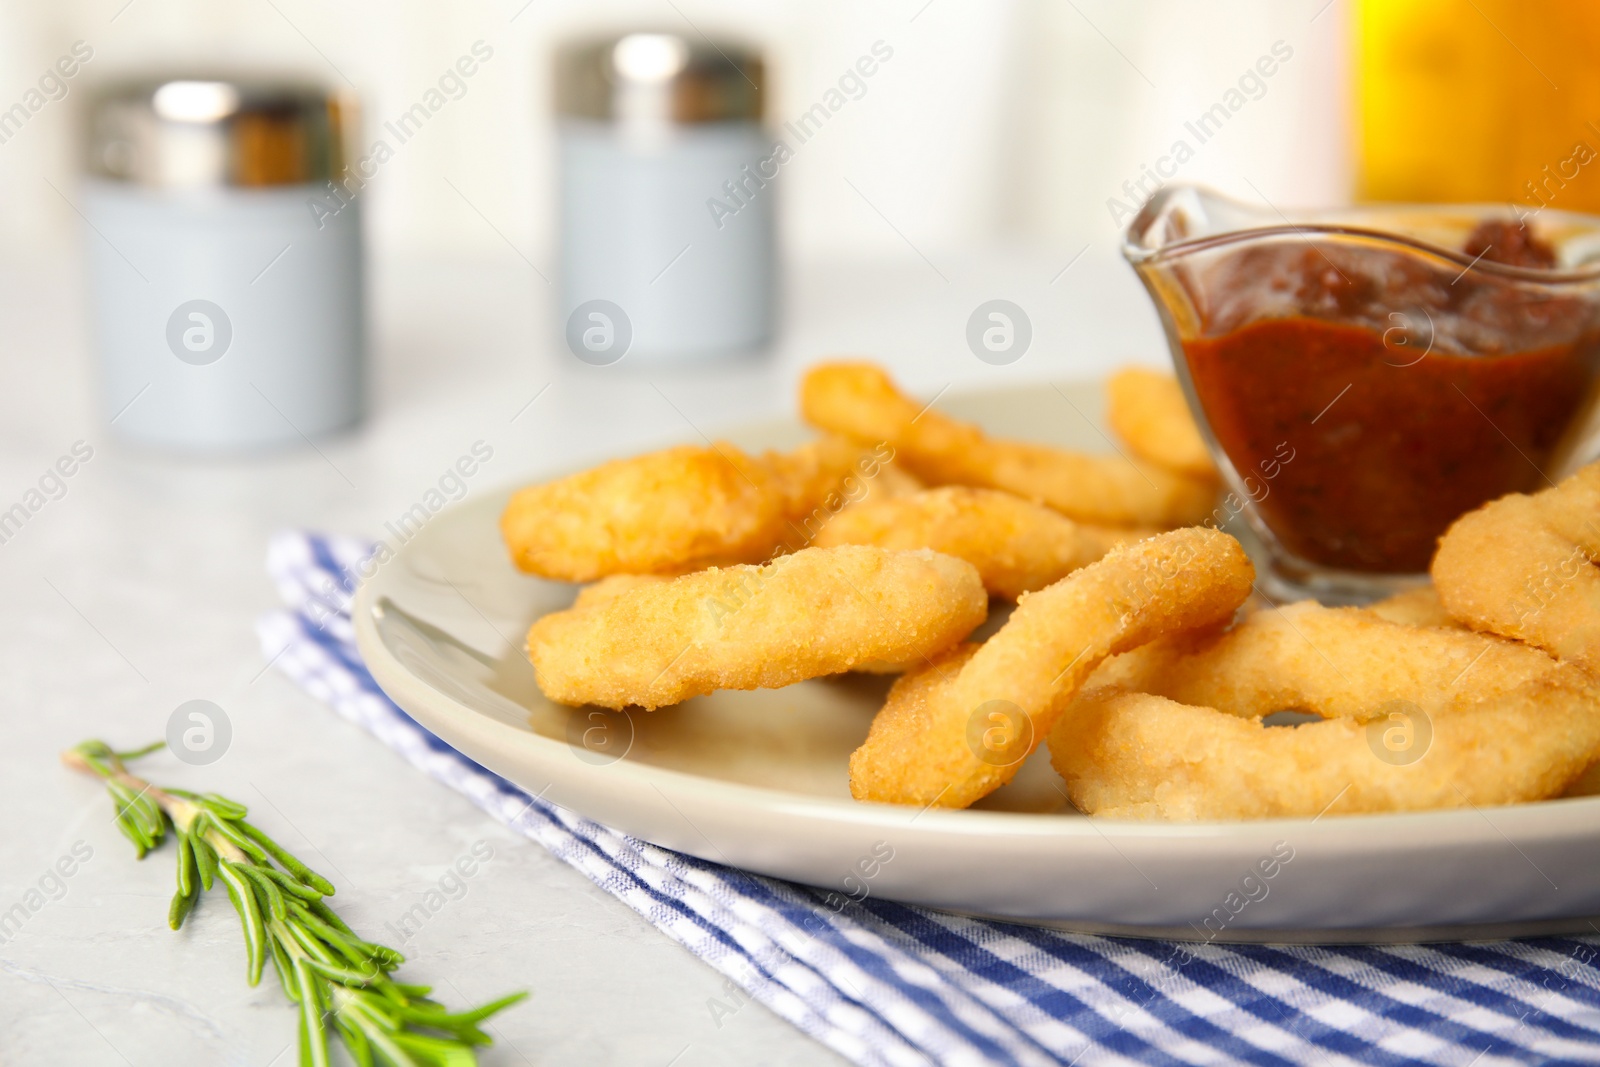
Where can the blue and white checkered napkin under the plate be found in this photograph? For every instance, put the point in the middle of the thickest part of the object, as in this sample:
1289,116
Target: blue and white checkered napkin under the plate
892,985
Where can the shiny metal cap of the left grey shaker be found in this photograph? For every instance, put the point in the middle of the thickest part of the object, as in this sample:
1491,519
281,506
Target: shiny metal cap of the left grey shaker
198,132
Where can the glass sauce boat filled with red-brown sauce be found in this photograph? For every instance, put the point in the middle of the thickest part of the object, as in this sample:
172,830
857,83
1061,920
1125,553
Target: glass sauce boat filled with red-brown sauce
1369,375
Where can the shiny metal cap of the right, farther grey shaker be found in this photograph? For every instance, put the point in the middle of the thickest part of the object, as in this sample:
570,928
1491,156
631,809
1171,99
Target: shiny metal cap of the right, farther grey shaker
660,79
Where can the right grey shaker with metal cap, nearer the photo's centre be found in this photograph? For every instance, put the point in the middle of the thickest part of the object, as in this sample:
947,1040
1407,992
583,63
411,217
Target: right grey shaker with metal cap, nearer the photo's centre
666,199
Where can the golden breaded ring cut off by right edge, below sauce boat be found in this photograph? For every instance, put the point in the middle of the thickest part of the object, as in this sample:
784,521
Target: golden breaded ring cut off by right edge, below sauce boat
1526,567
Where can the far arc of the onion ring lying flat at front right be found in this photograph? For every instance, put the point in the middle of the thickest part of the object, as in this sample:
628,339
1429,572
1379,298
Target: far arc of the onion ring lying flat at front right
1338,663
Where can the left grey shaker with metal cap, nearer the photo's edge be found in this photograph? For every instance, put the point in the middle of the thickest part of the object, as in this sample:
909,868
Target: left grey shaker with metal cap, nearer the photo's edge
225,255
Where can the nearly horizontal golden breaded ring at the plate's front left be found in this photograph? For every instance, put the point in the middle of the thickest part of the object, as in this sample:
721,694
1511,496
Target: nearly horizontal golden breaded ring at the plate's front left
814,613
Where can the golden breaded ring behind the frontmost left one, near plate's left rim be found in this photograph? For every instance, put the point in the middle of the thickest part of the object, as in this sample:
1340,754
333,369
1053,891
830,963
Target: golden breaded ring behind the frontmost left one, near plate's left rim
673,511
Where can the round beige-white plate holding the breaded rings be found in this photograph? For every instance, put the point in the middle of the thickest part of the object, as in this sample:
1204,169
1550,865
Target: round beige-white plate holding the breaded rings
758,780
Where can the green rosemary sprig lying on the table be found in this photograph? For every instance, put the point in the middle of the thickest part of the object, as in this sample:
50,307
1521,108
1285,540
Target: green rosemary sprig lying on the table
334,975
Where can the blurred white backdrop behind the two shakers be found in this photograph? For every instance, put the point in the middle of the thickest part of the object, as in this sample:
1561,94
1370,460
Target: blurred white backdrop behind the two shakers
1009,121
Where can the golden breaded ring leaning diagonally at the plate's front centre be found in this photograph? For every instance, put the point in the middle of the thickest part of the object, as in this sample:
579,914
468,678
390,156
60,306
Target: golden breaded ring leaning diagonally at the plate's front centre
954,738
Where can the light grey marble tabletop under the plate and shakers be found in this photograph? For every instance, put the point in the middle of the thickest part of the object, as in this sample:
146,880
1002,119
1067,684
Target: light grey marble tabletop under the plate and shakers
140,589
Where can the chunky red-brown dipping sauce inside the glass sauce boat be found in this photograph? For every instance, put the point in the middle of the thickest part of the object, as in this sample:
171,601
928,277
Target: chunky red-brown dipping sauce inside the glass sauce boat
1402,399
